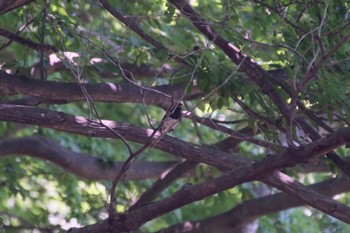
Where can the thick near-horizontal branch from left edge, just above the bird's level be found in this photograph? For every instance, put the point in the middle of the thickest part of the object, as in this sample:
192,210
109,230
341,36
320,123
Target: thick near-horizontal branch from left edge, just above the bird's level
61,92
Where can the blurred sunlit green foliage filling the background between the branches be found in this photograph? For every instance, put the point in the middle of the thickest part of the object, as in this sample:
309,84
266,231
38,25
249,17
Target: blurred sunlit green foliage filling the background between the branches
290,36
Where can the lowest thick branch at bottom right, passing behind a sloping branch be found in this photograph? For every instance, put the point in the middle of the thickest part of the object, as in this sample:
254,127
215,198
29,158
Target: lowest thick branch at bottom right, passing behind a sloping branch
250,210
